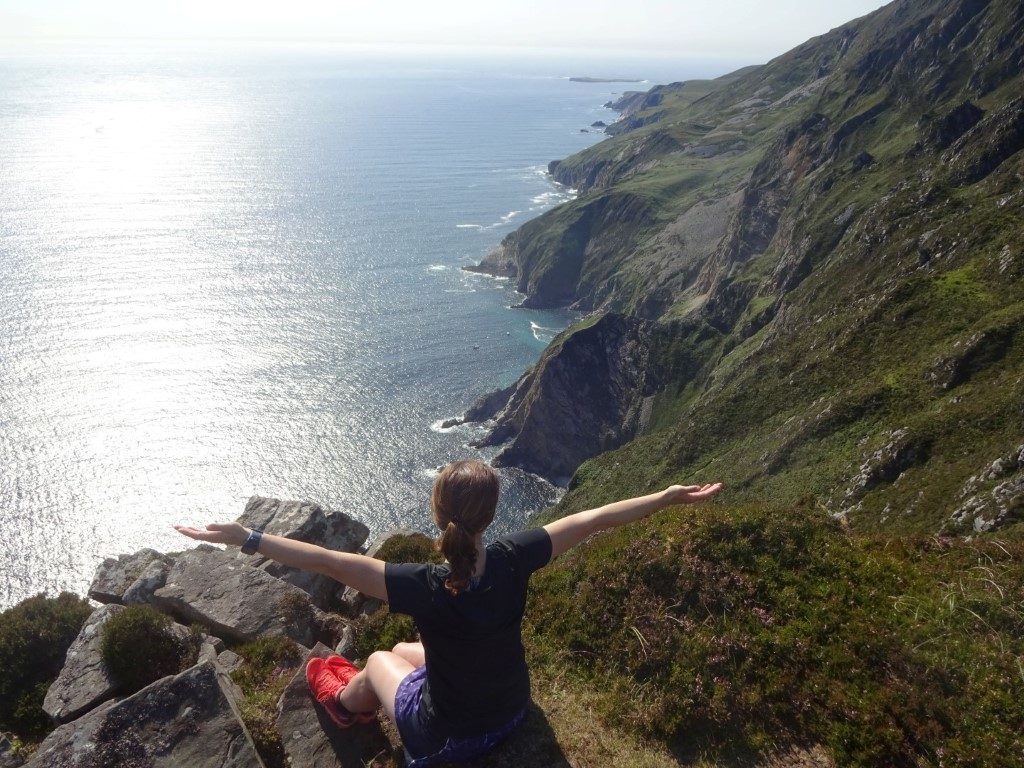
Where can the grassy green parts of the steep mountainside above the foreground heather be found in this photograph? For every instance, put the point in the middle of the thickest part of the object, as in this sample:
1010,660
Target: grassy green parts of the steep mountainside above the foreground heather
874,277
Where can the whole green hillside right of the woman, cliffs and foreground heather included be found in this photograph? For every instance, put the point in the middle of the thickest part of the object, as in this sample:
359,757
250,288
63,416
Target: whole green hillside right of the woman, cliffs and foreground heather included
805,280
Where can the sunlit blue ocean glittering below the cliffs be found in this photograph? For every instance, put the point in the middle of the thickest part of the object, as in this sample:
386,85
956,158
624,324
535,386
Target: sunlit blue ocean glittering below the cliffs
236,271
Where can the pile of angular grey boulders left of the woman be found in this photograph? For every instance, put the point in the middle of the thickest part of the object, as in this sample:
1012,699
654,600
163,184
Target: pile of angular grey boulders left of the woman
201,718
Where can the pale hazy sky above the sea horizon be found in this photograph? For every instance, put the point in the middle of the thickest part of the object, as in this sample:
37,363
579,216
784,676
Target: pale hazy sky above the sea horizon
753,30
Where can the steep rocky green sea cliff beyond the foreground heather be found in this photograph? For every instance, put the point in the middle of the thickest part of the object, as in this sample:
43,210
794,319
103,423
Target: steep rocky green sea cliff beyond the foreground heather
815,257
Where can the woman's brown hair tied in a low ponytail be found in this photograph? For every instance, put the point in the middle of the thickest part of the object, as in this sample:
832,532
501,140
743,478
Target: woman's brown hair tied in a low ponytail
463,502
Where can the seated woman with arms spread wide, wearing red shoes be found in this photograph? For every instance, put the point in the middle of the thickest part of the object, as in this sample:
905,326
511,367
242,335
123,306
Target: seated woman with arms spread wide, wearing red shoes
465,688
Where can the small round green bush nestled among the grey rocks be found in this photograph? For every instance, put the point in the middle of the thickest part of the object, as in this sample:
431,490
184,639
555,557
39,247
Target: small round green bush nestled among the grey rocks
139,648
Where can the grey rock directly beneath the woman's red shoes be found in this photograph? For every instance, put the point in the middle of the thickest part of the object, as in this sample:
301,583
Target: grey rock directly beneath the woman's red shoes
309,737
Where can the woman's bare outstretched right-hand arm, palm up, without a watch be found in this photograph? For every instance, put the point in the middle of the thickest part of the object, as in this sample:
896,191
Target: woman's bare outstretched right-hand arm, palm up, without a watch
569,532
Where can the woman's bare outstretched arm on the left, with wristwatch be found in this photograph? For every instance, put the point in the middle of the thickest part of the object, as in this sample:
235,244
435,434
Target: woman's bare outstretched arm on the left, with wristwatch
360,572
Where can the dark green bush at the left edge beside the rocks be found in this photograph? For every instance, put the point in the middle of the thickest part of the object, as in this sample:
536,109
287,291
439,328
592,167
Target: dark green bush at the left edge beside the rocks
34,639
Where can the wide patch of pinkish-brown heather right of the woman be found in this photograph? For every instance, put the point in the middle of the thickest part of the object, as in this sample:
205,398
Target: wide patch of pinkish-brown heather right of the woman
724,631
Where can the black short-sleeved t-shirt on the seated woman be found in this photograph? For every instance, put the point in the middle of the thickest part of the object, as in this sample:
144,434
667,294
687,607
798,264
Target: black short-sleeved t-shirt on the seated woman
477,669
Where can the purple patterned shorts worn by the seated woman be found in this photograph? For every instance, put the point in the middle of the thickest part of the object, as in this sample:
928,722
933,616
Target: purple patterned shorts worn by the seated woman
423,747
